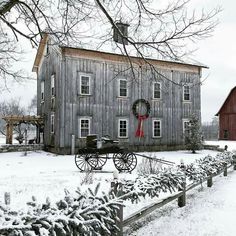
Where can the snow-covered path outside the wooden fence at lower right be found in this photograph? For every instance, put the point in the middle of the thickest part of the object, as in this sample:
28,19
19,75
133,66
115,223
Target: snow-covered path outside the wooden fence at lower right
209,212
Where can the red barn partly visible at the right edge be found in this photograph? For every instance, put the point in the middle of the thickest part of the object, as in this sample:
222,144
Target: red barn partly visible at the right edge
227,117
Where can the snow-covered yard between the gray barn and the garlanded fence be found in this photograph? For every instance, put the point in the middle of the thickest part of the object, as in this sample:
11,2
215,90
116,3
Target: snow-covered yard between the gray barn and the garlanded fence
43,174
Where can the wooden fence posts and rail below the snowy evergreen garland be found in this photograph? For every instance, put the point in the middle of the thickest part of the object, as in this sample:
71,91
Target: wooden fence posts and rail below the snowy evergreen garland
181,196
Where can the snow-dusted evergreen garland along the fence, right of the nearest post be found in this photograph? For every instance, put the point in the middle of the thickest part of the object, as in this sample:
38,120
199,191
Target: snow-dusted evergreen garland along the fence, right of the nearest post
170,180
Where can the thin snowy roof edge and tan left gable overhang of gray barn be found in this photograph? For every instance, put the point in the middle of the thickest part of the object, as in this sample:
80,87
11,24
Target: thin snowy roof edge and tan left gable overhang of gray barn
43,42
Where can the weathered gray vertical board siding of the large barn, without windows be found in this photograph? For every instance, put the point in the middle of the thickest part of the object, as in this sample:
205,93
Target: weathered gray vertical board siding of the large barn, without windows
104,107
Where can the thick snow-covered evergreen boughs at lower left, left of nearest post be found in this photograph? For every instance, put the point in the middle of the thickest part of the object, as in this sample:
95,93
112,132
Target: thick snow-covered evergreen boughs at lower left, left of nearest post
82,214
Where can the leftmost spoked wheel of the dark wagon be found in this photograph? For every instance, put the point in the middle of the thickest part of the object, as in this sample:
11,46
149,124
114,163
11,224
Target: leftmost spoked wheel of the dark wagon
85,161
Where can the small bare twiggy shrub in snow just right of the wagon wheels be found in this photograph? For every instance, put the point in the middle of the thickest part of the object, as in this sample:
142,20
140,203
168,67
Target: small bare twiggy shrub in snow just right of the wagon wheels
149,166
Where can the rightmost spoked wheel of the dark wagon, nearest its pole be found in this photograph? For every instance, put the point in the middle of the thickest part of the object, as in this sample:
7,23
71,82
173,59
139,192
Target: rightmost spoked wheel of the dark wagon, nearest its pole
125,161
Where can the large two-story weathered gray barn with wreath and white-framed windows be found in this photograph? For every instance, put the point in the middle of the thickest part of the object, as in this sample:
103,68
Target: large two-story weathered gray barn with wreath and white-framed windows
83,92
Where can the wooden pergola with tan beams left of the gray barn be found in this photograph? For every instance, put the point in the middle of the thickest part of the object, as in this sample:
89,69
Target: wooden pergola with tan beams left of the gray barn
14,120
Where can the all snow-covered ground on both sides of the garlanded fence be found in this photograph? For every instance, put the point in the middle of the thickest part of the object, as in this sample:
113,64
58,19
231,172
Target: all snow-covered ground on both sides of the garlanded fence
43,174
